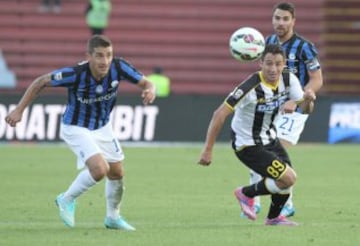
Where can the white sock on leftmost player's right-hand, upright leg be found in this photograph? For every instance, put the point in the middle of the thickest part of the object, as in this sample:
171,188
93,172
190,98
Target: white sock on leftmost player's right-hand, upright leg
113,192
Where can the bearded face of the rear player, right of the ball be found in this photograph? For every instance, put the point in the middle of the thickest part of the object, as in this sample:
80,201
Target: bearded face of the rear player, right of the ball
283,24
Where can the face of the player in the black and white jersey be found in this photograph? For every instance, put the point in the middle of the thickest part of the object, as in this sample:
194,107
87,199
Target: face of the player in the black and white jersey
272,66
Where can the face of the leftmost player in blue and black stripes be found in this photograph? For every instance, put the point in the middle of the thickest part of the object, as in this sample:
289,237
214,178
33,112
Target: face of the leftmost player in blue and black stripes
100,61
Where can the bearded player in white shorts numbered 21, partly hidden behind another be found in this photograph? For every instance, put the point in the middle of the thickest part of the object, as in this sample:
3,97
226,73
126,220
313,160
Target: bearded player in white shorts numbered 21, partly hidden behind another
302,60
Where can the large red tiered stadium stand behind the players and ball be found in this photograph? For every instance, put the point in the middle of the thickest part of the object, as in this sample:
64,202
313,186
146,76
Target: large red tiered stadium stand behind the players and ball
189,39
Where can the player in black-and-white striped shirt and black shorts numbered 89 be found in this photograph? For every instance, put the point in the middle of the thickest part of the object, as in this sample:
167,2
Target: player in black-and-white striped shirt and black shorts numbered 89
255,103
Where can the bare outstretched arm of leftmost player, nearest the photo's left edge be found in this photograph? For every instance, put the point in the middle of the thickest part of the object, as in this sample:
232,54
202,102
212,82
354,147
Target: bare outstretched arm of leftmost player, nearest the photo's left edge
30,94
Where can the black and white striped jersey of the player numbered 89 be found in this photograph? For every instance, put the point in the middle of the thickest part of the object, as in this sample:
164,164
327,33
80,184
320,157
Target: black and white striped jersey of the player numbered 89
256,105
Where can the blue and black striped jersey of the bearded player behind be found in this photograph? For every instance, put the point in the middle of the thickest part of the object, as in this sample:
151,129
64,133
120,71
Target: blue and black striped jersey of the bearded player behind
301,56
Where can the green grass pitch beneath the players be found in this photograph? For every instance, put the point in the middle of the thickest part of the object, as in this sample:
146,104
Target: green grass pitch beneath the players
173,201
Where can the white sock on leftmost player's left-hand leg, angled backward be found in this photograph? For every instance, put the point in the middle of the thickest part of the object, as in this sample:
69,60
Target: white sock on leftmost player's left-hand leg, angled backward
82,183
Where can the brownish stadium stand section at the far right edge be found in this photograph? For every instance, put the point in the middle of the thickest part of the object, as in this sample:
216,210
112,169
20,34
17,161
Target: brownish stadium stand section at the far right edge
342,47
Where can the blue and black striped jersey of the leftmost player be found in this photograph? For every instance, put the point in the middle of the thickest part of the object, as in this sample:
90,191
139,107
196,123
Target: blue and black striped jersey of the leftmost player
89,101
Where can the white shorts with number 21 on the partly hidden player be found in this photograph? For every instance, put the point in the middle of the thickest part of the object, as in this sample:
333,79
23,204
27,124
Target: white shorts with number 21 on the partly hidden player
290,126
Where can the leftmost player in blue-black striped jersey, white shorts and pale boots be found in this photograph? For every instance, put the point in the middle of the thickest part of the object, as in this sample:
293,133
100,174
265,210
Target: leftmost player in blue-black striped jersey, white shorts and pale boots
92,89
